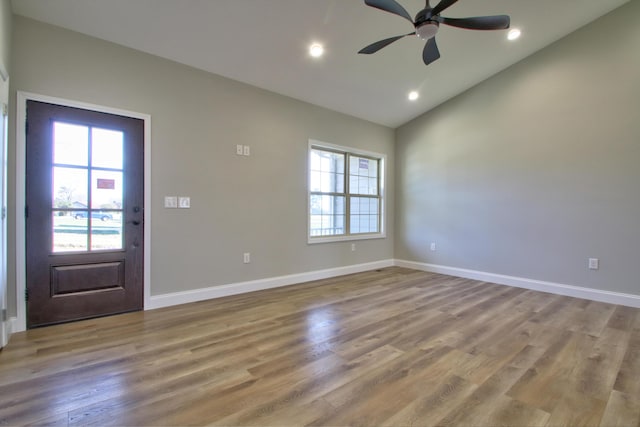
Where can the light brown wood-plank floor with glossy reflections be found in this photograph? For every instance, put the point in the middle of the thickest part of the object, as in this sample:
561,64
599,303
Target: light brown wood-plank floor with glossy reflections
387,347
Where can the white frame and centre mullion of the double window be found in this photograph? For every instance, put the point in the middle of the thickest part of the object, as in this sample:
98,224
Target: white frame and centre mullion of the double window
381,158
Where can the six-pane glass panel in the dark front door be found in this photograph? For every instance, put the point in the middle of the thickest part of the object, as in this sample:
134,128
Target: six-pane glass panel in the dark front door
87,190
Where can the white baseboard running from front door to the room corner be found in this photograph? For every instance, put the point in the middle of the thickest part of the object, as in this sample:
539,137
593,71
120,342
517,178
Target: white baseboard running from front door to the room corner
176,298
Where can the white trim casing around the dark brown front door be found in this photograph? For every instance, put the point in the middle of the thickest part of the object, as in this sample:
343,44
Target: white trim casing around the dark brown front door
21,113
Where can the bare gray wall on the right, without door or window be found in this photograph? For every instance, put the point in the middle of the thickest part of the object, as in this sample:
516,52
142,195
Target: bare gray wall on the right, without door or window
535,170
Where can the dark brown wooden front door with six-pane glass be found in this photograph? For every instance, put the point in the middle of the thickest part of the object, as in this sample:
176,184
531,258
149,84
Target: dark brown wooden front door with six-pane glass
84,193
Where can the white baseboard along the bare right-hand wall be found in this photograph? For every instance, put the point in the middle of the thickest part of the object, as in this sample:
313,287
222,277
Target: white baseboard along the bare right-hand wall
620,298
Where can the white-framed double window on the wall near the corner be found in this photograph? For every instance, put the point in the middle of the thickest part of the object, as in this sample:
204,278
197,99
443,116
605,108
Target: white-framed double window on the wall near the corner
345,193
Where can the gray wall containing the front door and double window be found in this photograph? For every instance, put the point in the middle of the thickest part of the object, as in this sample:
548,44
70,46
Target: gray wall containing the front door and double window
254,204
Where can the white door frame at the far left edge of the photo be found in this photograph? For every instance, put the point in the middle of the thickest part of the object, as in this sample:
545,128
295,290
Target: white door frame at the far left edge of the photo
4,112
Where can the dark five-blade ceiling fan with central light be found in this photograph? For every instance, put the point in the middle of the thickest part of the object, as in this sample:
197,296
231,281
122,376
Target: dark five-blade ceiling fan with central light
427,22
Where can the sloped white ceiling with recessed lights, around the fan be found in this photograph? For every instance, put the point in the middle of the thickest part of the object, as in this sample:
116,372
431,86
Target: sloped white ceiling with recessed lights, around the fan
264,43
